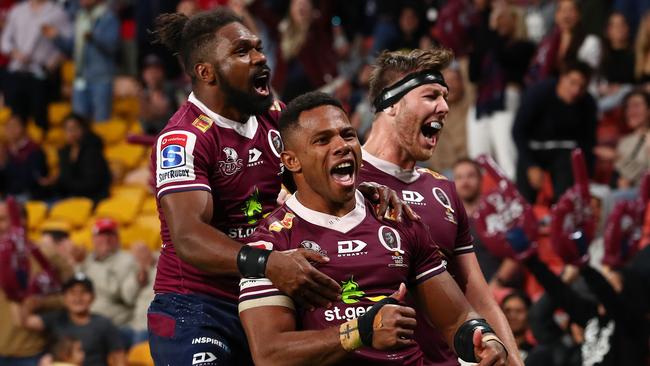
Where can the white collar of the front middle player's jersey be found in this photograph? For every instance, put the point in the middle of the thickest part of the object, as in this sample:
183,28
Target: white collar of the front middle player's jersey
341,224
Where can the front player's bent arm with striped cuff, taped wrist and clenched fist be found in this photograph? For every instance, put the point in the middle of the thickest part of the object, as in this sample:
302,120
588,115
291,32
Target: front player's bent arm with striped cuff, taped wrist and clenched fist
270,325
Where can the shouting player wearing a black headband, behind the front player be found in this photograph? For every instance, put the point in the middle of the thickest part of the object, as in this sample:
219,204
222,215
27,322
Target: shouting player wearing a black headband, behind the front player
409,94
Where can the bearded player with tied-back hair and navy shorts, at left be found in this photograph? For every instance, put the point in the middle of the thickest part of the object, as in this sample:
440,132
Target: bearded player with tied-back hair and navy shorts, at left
217,172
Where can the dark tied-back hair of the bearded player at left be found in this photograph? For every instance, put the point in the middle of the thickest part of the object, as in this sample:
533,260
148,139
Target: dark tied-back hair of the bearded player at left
190,38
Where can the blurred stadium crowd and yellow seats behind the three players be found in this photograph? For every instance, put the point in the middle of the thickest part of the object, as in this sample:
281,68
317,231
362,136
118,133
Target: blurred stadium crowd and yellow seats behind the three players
531,81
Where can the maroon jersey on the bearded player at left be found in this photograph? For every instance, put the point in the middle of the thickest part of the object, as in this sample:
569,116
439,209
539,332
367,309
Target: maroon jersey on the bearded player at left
238,163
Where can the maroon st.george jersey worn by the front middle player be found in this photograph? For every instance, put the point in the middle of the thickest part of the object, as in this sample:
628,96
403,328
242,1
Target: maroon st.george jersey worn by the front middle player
369,257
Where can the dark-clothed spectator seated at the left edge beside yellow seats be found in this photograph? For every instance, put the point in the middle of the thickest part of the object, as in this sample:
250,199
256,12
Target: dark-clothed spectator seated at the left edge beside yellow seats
22,163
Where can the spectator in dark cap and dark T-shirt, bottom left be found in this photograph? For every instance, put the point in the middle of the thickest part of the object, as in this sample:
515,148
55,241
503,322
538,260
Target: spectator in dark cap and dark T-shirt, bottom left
100,339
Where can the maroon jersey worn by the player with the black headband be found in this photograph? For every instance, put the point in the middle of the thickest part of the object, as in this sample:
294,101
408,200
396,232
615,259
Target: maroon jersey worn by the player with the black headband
434,198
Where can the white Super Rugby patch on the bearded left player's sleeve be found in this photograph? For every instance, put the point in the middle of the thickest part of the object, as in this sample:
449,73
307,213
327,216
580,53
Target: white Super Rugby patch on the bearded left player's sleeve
174,157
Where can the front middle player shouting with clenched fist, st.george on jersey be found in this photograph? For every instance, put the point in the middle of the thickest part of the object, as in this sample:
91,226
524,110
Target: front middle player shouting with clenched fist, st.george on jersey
371,258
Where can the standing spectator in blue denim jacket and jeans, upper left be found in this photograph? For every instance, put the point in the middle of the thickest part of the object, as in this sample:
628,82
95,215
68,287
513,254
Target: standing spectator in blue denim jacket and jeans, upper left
94,51
